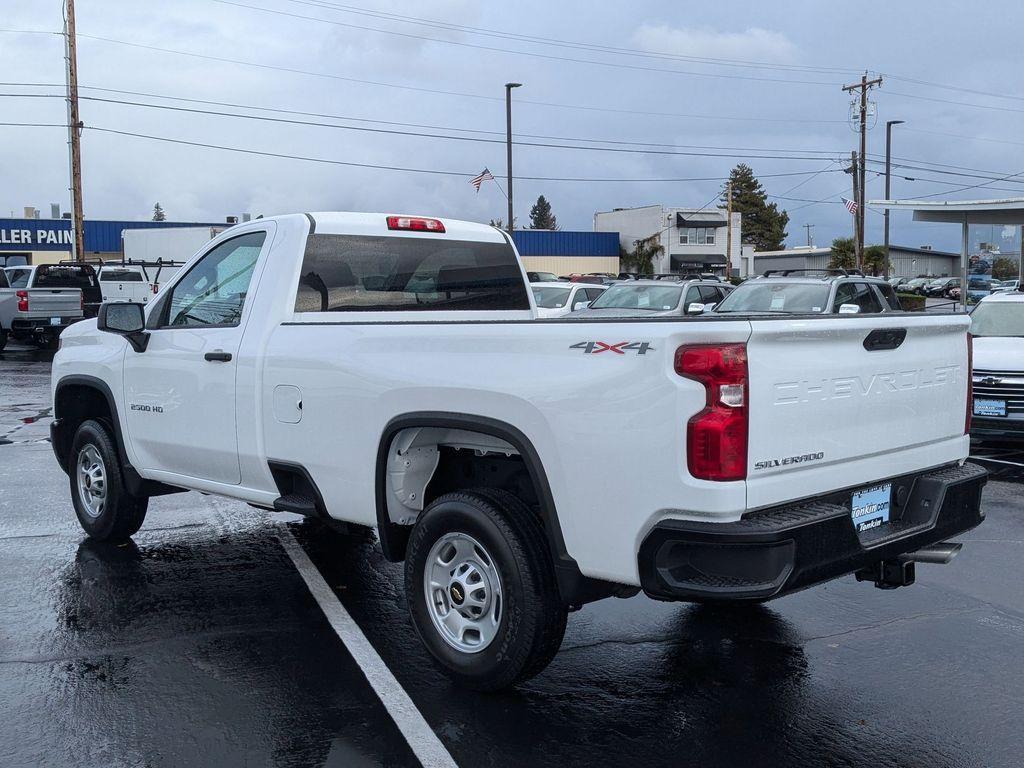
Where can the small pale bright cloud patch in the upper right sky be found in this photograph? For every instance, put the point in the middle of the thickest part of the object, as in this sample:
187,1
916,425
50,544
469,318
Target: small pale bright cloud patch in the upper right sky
754,45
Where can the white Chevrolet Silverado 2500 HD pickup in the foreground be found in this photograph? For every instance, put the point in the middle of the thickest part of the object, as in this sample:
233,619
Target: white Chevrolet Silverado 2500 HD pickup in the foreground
391,372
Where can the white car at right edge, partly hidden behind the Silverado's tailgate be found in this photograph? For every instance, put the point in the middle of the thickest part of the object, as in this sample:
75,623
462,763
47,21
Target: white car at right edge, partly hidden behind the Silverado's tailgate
998,336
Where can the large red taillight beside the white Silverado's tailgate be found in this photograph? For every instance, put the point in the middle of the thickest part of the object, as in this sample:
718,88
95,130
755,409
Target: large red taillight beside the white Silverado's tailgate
716,438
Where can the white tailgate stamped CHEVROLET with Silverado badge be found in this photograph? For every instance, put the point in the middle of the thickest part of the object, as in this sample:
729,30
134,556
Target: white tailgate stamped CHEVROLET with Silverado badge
845,402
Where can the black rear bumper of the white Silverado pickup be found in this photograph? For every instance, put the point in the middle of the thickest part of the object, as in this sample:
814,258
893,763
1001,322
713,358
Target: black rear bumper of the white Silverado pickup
775,552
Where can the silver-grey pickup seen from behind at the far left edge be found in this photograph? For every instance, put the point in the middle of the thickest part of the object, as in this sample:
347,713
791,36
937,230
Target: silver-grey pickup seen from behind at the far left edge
38,314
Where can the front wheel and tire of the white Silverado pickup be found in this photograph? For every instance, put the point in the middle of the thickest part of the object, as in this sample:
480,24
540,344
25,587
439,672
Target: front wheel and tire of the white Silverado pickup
106,510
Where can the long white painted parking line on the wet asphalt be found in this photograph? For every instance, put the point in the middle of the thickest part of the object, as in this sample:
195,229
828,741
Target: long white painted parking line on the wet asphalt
419,736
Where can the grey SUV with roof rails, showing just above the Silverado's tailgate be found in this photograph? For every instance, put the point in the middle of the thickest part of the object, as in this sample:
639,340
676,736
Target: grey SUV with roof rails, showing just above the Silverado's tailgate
797,292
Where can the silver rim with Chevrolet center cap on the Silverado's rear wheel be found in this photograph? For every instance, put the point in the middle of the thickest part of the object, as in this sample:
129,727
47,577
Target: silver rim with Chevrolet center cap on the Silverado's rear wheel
463,590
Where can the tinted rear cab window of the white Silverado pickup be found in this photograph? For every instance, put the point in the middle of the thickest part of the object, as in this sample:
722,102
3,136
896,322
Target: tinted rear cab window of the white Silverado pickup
383,274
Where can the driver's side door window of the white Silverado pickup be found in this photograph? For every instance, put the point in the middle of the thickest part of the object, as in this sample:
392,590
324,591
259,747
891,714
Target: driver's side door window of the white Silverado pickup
214,293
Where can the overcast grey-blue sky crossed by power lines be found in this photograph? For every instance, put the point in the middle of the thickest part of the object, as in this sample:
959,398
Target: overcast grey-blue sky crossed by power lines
311,57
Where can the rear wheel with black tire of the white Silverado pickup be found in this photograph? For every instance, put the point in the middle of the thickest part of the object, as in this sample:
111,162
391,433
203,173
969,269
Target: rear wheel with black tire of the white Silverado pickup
481,587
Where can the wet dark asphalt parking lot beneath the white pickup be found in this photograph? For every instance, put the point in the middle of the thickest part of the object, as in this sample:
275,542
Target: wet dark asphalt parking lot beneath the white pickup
202,644
